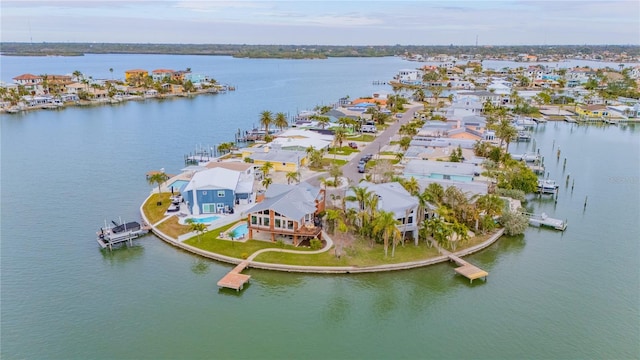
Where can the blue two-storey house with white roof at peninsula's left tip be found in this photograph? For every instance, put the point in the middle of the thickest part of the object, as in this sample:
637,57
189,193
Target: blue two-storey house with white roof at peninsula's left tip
218,190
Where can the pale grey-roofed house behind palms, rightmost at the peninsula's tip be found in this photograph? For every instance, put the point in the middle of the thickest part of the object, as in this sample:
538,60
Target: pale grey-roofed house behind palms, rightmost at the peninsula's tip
393,197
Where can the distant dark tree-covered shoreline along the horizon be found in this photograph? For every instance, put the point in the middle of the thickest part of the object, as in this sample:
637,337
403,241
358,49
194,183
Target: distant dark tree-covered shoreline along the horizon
613,53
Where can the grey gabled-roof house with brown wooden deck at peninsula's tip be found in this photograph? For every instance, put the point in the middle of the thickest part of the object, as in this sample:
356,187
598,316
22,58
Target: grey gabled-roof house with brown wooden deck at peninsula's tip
288,212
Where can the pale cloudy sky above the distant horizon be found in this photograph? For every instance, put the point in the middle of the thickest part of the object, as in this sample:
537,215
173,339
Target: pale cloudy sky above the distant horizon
304,22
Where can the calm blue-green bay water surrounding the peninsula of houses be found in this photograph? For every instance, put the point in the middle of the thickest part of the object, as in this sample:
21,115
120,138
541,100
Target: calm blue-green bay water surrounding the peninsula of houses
549,295
